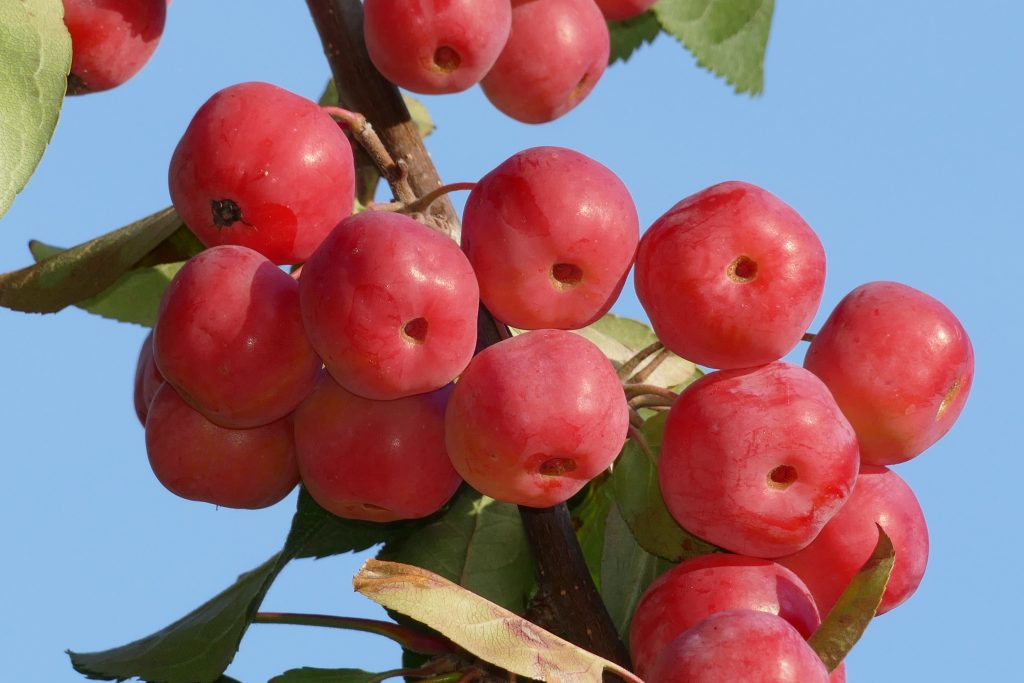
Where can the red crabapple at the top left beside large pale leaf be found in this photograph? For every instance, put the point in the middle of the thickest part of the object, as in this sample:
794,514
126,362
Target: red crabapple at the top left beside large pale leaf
112,40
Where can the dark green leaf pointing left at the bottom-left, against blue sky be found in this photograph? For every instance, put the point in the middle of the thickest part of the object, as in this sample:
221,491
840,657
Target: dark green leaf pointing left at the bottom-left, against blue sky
197,648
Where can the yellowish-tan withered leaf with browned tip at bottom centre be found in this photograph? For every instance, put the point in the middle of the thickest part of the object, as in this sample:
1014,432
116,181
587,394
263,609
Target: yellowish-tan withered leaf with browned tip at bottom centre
487,630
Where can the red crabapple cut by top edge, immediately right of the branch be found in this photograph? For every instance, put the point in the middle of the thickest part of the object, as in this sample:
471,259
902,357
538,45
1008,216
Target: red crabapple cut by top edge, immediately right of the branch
436,47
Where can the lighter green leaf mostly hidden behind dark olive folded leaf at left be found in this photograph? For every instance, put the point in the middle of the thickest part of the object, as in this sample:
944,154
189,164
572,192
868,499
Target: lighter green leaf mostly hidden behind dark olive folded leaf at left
134,298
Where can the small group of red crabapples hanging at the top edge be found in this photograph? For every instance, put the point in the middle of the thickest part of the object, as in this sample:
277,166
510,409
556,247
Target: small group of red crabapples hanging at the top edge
535,60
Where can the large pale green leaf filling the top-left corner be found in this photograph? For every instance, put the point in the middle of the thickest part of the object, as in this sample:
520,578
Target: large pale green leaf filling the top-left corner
35,59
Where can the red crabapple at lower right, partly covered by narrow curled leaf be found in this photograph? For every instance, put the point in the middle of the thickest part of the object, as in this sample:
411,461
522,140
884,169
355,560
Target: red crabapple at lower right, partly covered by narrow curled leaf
828,565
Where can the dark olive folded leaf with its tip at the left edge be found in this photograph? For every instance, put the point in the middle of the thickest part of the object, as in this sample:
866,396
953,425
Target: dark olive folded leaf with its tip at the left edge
87,271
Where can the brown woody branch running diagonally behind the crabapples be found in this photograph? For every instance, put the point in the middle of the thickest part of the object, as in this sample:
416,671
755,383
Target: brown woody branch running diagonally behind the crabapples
563,575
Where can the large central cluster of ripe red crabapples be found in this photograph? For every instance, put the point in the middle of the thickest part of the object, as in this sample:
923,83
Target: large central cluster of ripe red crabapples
359,374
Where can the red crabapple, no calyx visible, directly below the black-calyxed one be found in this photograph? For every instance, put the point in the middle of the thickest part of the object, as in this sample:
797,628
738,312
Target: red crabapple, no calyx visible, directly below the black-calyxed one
230,338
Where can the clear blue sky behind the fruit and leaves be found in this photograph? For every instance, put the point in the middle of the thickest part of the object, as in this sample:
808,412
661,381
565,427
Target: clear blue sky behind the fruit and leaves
894,129
